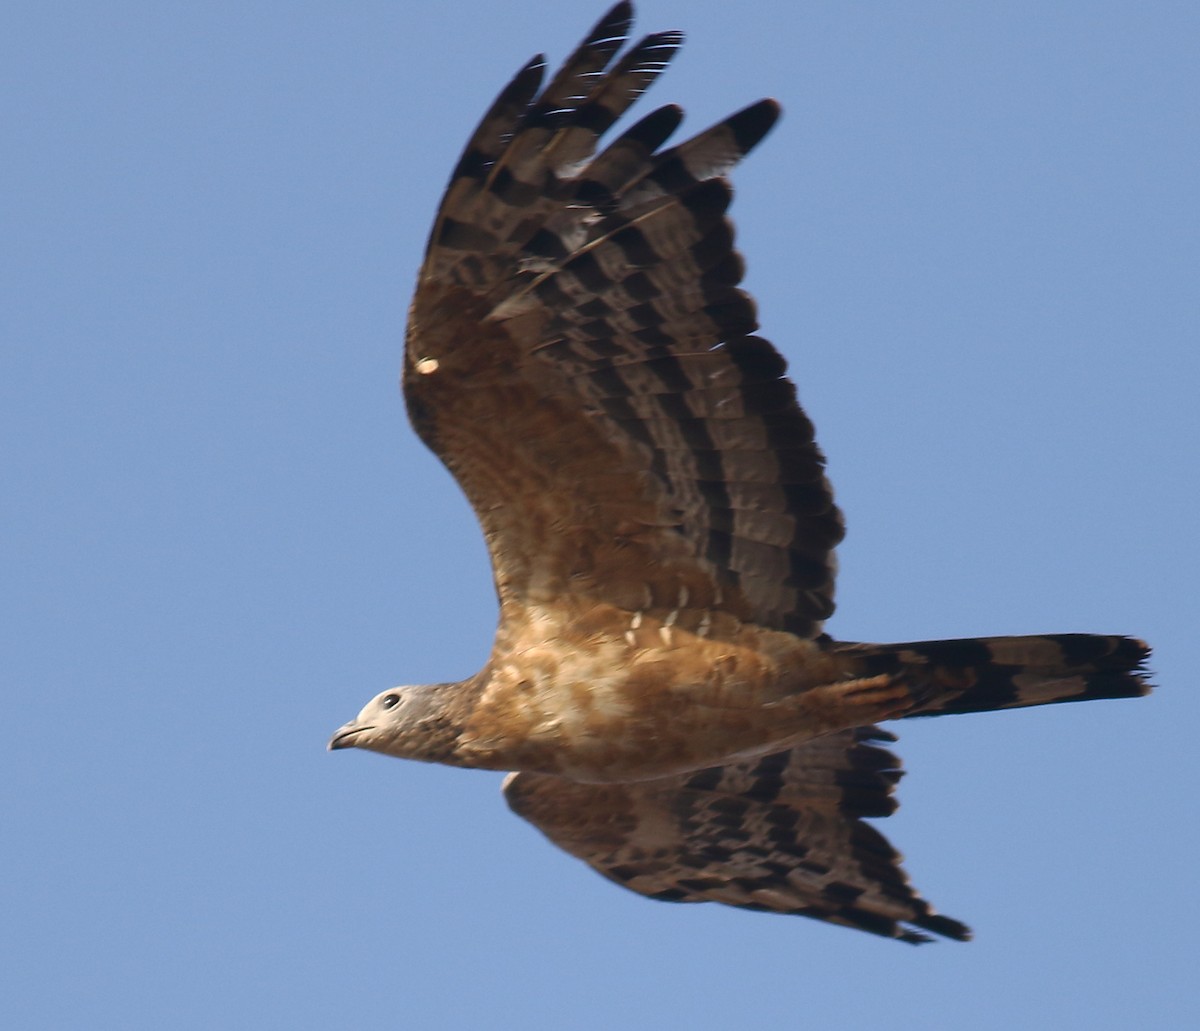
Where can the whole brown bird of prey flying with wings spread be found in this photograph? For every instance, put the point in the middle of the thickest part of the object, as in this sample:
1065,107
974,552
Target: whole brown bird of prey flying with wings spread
661,526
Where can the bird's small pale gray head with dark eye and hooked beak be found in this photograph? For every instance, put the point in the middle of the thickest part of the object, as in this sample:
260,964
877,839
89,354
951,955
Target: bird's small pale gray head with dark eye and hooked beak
416,722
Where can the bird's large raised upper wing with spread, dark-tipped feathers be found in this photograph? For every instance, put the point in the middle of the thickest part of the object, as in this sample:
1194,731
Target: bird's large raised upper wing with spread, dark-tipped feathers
580,357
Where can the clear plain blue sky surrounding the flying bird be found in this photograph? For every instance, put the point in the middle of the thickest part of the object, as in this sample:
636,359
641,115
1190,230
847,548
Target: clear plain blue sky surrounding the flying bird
975,236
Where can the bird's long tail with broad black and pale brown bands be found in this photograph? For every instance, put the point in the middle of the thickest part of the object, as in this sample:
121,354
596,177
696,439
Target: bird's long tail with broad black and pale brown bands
986,674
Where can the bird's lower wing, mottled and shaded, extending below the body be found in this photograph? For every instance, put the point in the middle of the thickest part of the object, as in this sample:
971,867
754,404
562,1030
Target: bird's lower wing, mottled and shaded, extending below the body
782,834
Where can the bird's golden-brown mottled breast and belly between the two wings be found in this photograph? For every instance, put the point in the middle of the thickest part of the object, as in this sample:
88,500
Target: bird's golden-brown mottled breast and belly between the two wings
599,693
